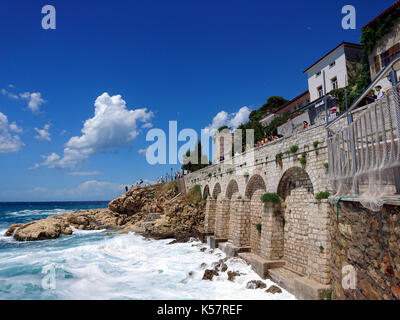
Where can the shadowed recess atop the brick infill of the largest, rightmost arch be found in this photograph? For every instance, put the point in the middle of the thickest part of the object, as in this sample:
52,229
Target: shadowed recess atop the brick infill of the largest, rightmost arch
294,178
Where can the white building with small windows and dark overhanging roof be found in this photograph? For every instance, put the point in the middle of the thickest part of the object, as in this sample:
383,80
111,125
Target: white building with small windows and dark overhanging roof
336,65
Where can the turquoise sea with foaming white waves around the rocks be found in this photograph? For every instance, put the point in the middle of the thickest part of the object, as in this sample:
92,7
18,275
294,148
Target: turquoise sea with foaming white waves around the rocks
90,265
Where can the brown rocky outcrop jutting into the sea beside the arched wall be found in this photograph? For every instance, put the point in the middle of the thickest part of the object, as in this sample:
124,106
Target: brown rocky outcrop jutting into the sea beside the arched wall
158,212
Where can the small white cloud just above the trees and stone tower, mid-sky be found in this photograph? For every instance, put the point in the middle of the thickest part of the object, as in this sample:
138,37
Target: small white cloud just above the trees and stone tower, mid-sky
232,120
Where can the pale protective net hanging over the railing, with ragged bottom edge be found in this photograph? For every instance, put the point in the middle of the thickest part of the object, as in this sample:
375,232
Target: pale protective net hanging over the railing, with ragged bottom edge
364,157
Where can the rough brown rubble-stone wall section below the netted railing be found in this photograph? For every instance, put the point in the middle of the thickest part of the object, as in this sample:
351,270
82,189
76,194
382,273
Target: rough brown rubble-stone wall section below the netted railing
365,252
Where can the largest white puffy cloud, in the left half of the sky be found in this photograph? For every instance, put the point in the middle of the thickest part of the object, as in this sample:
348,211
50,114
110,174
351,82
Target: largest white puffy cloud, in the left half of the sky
112,126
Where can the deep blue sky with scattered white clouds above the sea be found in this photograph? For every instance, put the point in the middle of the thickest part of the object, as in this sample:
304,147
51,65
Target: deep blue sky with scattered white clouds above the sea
168,60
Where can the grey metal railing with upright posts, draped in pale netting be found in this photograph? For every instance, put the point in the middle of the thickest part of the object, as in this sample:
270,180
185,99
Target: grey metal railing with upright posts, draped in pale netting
369,144
